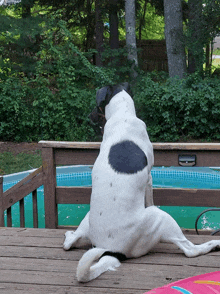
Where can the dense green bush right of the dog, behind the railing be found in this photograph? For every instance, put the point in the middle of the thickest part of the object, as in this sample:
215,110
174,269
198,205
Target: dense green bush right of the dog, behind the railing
179,109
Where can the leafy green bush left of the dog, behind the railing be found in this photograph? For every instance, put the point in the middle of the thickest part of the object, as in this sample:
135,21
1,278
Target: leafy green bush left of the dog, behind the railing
31,111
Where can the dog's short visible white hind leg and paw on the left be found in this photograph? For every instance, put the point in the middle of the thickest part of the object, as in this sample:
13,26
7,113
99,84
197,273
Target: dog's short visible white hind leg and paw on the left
78,238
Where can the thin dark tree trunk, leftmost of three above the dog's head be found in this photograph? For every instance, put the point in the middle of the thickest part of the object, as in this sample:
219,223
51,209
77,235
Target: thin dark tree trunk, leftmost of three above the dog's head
99,29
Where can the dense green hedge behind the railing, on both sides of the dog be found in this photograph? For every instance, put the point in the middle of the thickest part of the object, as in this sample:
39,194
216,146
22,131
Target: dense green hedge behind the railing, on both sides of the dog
57,108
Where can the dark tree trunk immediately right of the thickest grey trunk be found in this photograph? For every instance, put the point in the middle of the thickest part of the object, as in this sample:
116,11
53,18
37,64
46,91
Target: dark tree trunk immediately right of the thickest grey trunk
195,44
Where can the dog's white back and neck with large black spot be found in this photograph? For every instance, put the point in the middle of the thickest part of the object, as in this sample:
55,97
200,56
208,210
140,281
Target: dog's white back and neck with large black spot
119,176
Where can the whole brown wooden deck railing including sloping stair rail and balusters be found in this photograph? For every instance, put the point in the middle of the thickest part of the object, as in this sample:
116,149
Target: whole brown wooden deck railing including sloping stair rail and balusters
85,153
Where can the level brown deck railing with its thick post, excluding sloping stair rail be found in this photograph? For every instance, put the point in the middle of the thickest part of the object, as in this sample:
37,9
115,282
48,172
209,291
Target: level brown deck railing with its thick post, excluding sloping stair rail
166,154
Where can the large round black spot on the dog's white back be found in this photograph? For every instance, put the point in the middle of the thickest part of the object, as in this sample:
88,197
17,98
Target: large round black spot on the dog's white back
127,157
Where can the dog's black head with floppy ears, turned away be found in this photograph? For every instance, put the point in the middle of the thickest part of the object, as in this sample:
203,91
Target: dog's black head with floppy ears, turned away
103,97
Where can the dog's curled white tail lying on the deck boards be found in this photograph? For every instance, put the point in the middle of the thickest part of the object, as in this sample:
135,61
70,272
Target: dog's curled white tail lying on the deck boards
87,272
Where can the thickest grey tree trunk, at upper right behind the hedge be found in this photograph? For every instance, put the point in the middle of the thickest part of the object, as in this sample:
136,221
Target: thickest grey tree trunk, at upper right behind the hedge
174,38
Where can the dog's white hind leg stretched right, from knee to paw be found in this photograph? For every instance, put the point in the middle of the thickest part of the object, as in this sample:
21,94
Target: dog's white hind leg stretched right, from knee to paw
173,234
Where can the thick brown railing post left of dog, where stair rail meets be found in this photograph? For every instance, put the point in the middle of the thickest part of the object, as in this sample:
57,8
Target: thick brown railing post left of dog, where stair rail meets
49,168
